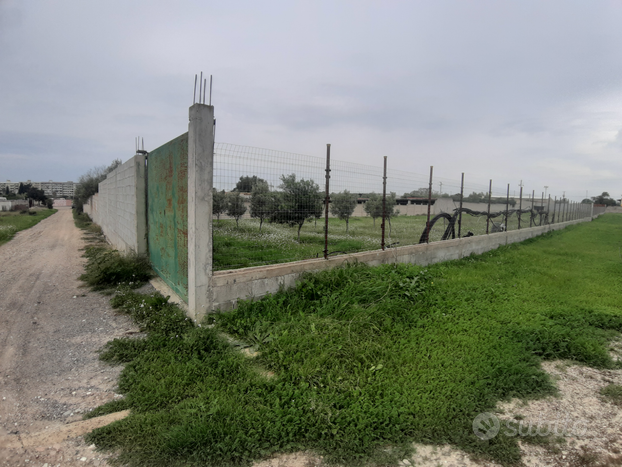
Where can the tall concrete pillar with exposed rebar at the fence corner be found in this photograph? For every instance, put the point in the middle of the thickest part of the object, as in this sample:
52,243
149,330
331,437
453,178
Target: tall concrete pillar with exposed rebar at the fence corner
200,182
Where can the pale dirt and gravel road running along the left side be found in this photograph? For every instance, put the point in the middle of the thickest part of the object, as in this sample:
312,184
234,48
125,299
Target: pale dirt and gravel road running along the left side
50,331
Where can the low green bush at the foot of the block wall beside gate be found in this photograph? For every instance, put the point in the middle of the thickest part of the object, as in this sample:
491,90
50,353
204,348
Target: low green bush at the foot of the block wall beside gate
107,268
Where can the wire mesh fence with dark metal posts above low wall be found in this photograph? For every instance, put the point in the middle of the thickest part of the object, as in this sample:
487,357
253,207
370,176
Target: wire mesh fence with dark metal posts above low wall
274,207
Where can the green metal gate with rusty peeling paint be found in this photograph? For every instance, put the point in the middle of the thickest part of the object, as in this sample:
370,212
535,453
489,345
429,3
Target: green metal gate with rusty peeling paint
167,169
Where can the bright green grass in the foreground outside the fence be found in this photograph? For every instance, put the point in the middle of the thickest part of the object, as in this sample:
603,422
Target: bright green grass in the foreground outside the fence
357,363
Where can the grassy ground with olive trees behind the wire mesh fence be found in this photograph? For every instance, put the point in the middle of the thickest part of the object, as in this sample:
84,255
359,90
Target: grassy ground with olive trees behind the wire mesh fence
245,246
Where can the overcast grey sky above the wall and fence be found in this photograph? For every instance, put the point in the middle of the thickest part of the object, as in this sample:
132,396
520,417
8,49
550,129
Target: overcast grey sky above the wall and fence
511,91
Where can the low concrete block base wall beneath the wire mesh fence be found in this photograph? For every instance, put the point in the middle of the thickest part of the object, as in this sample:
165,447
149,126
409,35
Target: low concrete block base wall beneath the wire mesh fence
230,286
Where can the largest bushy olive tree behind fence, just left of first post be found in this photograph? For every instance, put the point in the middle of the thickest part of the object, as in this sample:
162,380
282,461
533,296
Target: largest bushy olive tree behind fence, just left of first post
299,201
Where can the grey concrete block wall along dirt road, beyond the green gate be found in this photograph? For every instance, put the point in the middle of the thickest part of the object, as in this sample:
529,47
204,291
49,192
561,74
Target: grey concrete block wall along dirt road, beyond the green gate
119,207
